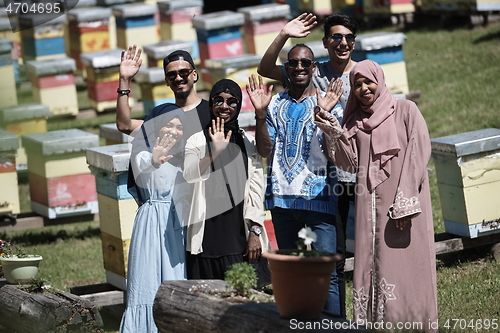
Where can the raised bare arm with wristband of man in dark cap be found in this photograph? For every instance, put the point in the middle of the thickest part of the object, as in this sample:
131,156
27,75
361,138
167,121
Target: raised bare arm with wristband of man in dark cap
129,66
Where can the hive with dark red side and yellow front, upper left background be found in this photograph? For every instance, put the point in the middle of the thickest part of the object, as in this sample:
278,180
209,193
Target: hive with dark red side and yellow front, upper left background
88,32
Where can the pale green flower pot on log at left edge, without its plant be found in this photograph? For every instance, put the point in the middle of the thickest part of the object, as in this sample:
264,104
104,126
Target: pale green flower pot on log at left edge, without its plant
20,270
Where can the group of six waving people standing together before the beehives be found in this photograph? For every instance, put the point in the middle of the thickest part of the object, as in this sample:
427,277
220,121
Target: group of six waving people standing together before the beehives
334,135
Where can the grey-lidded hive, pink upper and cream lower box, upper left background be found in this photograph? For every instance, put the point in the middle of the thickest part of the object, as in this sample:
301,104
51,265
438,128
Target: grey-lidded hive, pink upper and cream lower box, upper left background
53,84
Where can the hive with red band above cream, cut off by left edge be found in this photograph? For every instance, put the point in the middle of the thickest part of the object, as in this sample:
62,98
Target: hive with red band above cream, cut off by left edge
9,196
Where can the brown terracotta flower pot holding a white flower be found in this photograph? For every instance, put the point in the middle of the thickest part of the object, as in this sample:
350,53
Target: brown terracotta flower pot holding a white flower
300,284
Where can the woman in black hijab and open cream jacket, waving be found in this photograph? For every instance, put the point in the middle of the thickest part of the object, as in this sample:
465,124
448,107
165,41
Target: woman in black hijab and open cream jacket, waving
226,222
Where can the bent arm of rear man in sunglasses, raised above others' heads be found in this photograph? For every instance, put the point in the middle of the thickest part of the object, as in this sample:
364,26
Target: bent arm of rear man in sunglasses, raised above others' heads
296,28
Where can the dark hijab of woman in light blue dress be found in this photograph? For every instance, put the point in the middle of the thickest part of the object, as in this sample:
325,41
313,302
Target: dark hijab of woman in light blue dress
145,140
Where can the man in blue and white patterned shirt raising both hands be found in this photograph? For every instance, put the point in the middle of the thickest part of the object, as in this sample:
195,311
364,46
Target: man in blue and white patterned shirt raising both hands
301,181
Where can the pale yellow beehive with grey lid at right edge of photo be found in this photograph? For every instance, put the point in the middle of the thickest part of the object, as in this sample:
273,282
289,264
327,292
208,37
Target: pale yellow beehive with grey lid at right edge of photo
468,173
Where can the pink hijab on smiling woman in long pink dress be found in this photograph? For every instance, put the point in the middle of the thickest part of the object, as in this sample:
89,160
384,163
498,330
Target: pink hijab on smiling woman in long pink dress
377,118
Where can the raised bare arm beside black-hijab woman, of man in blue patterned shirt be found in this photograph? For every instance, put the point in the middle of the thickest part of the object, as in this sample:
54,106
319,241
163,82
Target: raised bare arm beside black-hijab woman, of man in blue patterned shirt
260,100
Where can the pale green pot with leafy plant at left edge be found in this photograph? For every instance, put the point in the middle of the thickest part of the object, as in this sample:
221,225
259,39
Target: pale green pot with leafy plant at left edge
18,267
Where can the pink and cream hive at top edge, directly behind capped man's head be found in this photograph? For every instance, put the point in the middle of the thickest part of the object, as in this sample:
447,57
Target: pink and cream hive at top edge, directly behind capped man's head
175,22
